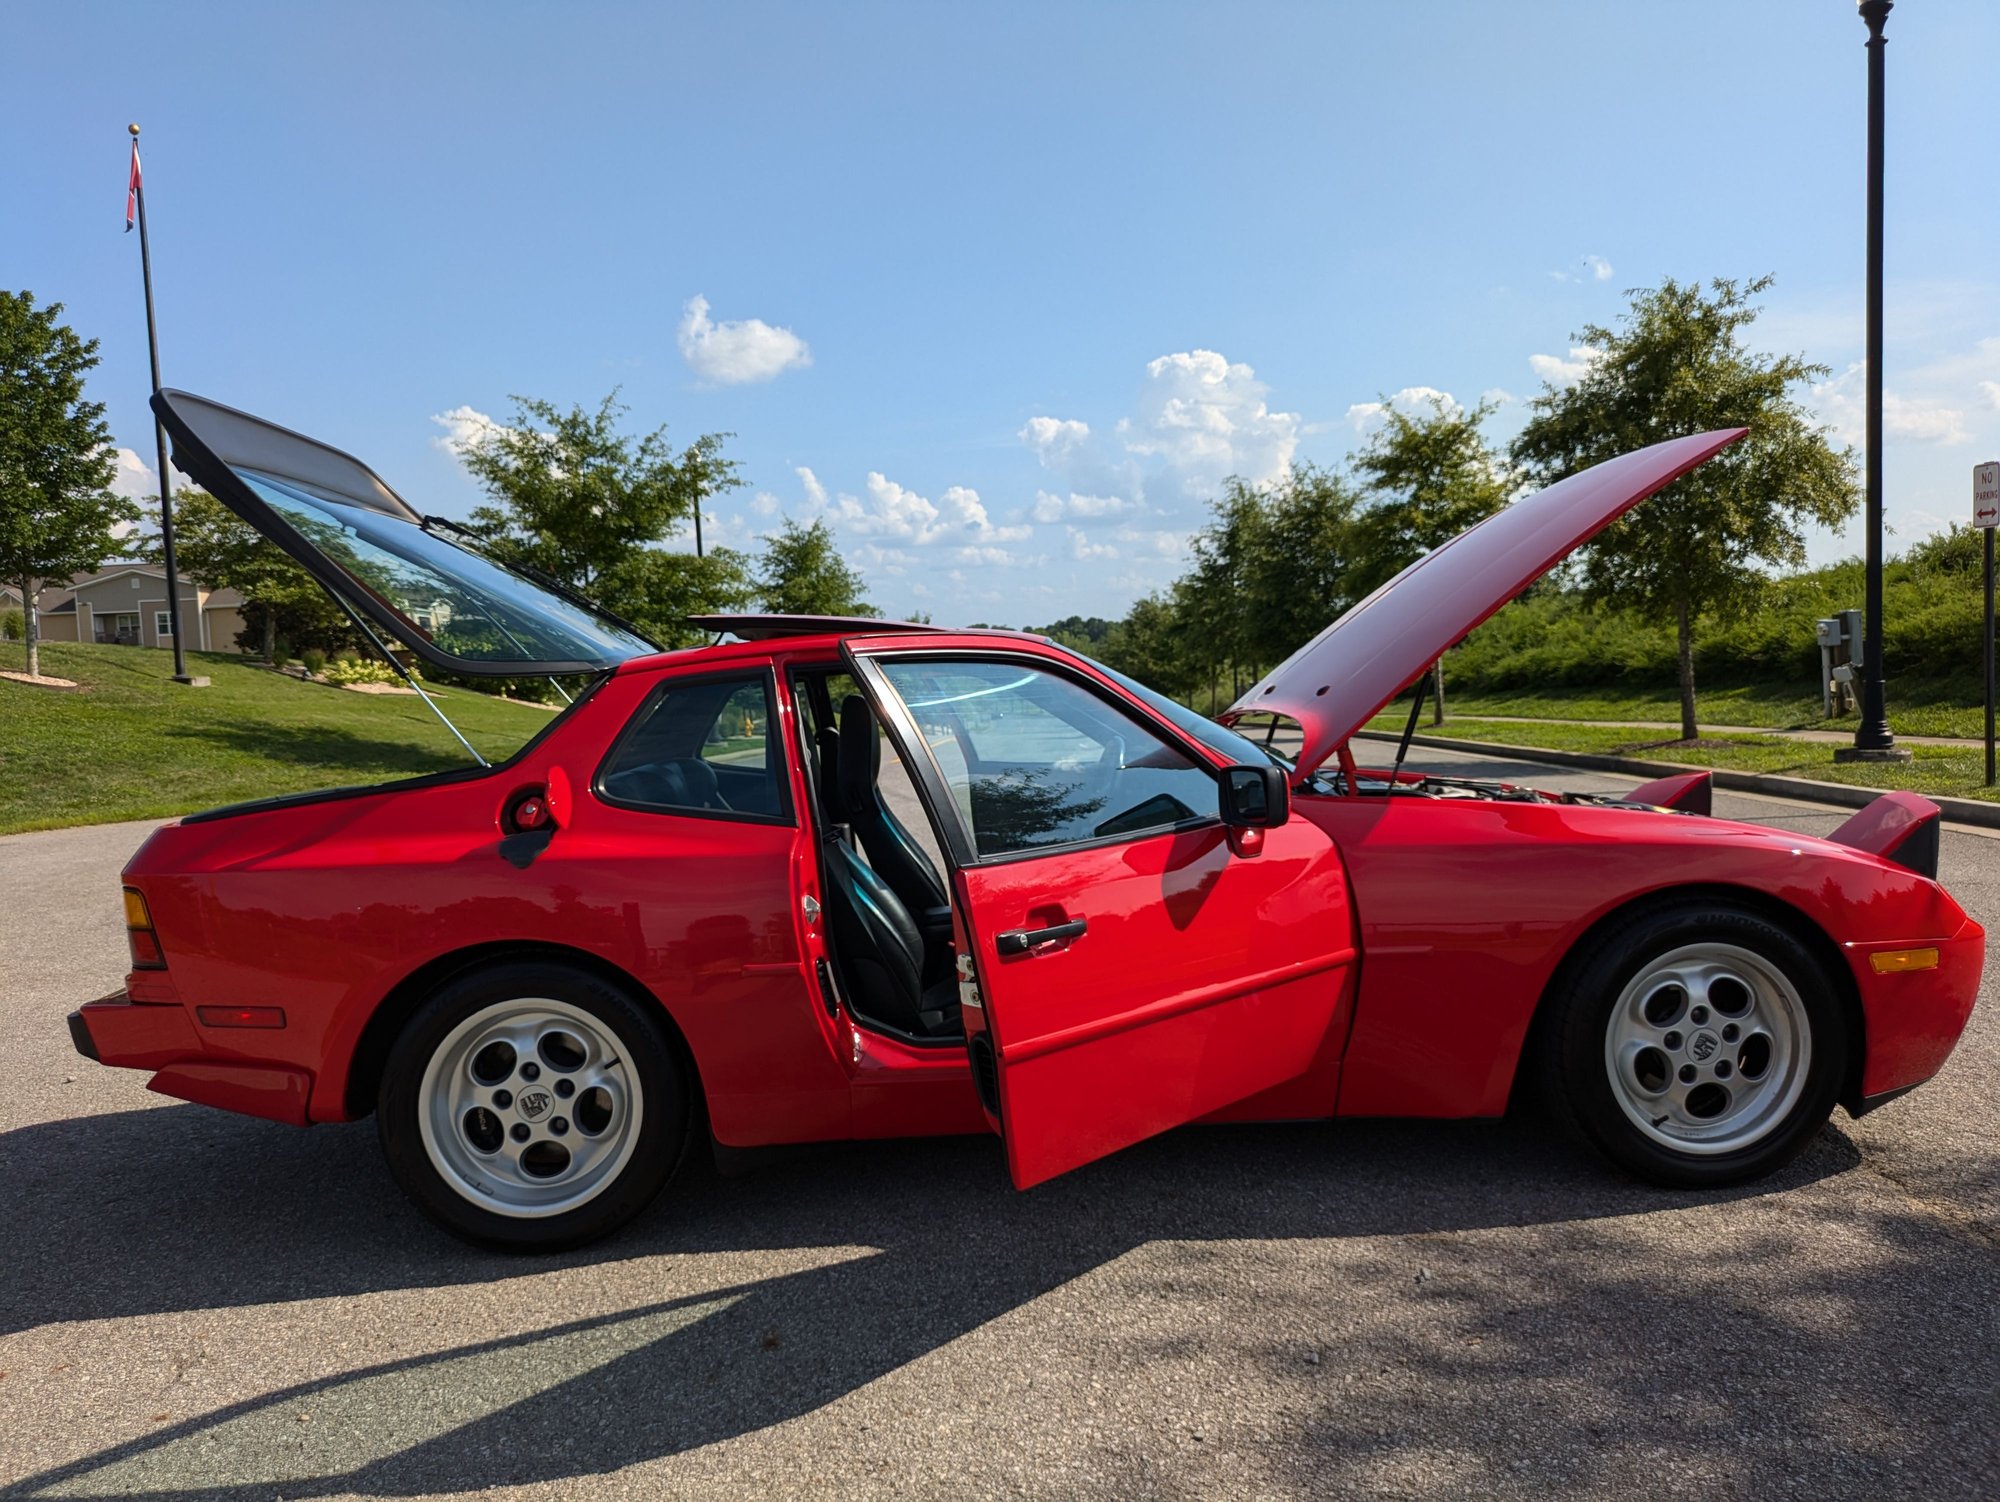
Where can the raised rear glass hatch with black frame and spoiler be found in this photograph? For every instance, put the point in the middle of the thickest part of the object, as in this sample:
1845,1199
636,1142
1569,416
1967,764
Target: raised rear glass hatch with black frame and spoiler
455,609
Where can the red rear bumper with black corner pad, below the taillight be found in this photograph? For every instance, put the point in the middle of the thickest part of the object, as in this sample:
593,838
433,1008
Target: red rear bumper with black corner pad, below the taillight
159,1037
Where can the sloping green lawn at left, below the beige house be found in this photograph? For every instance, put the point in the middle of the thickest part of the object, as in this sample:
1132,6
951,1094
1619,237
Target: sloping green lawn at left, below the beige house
133,745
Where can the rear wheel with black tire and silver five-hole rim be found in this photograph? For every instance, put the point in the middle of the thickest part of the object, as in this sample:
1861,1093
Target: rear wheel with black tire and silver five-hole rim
533,1107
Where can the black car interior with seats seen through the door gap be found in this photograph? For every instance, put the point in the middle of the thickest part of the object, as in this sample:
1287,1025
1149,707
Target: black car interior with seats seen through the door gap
889,905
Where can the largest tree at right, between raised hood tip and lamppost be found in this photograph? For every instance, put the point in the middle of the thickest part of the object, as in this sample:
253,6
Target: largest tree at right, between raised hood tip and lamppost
1677,367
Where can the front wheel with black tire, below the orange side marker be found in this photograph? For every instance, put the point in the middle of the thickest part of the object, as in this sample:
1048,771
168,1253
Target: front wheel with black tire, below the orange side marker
1697,1047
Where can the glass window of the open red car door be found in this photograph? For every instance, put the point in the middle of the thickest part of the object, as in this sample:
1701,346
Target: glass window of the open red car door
1035,759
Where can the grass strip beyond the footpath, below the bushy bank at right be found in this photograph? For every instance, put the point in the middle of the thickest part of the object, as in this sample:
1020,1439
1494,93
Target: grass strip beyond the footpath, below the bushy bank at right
1915,709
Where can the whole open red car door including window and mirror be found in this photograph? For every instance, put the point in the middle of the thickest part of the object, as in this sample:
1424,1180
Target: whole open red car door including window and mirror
1129,973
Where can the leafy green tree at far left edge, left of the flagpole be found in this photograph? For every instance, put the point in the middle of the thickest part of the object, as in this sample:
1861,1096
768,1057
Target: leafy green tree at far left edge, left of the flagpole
59,515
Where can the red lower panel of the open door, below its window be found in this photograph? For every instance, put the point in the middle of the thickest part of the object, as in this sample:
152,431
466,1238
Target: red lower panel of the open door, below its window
1199,979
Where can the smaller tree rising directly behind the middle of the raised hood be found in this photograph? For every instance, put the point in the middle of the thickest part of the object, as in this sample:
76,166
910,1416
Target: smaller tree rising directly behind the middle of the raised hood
1429,477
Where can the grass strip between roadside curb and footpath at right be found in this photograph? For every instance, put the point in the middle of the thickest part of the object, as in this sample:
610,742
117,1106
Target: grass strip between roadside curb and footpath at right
1935,769
